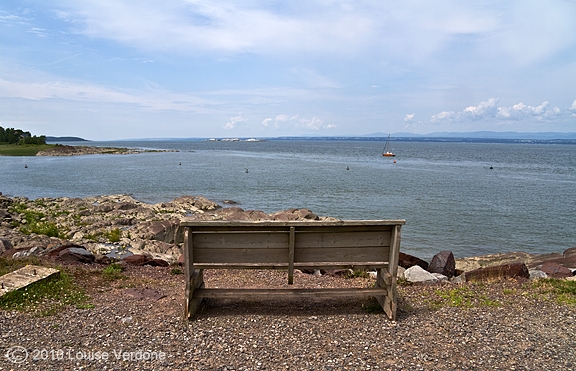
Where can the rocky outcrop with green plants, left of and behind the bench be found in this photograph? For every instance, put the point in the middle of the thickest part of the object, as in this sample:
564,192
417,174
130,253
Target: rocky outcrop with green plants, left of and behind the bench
114,227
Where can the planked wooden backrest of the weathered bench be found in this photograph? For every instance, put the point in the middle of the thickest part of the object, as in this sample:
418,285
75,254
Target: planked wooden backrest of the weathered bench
280,243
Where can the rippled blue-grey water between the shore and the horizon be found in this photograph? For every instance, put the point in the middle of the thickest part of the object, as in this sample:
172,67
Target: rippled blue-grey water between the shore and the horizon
447,193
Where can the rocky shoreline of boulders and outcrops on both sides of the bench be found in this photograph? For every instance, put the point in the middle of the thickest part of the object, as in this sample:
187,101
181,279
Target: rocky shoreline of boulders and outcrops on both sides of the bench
119,227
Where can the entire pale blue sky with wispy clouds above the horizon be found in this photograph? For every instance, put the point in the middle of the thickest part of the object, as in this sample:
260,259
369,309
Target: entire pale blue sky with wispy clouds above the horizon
115,69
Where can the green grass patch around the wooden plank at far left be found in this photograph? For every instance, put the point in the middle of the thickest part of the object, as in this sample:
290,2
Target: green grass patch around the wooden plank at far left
45,297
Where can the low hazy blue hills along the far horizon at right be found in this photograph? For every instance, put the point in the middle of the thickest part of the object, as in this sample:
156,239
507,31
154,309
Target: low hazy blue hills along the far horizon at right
483,135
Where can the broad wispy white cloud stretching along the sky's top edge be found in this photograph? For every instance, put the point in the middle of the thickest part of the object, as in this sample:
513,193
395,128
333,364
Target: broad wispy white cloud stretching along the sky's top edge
391,29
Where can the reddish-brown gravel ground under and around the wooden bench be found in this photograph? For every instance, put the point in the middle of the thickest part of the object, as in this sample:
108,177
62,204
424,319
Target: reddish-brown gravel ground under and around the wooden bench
502,325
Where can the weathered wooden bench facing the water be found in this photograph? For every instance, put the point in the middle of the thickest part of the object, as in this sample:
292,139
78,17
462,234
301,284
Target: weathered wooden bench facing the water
362,244
